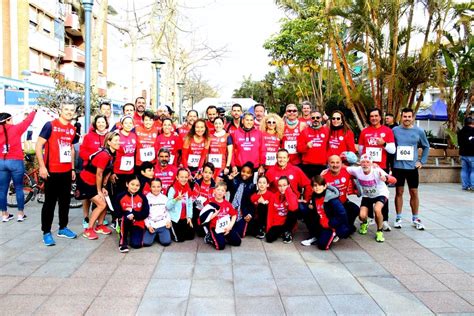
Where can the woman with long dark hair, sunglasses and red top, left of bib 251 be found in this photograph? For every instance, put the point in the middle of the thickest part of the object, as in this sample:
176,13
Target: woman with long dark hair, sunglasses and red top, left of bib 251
341,138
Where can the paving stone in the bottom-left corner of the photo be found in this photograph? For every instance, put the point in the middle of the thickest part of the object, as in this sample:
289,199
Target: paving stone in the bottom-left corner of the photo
15,304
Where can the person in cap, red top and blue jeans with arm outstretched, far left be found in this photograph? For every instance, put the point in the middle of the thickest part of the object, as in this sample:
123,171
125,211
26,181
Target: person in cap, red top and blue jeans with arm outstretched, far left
11,162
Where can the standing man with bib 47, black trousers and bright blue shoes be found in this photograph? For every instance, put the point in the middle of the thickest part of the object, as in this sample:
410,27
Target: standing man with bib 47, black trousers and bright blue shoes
56,167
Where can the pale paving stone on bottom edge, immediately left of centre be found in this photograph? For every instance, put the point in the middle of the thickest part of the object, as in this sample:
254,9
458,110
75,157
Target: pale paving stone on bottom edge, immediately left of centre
209,306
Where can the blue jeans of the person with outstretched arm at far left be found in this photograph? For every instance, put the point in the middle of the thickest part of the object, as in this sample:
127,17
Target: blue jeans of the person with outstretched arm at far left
12,169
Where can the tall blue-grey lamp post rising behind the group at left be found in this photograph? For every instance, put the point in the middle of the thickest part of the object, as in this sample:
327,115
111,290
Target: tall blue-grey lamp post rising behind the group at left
87,4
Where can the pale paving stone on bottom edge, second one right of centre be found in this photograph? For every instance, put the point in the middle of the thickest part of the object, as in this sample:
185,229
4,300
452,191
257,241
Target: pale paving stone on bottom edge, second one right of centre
307,305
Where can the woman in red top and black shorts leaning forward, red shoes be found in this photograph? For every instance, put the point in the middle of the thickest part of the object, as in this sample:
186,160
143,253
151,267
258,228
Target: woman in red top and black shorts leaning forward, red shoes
92,181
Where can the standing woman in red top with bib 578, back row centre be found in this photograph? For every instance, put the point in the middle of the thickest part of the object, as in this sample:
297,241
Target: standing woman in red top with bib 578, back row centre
220,149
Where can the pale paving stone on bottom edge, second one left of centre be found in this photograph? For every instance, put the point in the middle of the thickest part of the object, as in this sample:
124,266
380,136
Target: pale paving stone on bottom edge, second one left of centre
162,306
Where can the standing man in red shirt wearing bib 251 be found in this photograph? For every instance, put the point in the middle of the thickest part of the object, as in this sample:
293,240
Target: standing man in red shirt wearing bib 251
377,141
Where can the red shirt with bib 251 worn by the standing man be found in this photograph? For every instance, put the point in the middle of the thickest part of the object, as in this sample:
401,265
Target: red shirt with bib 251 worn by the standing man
368,139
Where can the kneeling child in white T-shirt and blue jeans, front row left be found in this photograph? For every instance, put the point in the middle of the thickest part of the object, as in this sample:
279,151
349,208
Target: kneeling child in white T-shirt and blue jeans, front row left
158,222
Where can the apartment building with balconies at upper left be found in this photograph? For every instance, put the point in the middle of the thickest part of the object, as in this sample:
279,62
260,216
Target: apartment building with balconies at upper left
40,37
